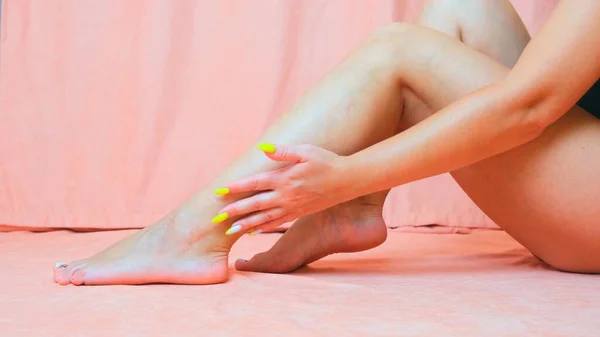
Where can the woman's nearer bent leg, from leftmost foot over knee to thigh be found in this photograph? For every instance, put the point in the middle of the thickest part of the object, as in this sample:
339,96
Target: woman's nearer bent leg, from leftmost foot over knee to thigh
185,248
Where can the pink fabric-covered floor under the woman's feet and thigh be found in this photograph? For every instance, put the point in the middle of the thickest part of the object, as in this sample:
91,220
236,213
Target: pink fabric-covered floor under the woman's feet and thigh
480,284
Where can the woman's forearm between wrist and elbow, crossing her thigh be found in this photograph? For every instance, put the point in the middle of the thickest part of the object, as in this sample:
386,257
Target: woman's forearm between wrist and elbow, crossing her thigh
482,125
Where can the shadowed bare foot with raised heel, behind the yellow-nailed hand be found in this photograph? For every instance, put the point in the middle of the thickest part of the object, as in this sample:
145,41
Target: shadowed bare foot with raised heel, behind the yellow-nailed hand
353,226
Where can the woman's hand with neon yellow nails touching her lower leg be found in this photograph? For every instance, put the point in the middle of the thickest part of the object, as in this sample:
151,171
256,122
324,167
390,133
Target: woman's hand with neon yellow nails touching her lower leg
313,181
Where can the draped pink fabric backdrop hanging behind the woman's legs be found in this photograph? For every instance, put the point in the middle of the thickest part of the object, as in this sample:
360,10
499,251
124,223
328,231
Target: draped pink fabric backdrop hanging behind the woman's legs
114,112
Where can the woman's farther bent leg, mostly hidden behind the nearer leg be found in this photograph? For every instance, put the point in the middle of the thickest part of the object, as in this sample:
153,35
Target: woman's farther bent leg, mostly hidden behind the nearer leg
491,27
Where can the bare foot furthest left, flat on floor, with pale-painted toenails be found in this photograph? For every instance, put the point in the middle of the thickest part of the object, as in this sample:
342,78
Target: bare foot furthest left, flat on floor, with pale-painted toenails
157,254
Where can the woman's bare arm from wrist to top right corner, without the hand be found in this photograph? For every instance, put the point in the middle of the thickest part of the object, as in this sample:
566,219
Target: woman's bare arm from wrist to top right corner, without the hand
554,71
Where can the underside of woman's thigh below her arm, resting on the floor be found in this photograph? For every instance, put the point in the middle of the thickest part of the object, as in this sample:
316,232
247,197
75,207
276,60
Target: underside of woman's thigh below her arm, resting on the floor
546,193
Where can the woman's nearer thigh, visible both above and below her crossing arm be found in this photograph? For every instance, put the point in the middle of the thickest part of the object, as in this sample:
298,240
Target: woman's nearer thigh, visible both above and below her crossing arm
546,193
